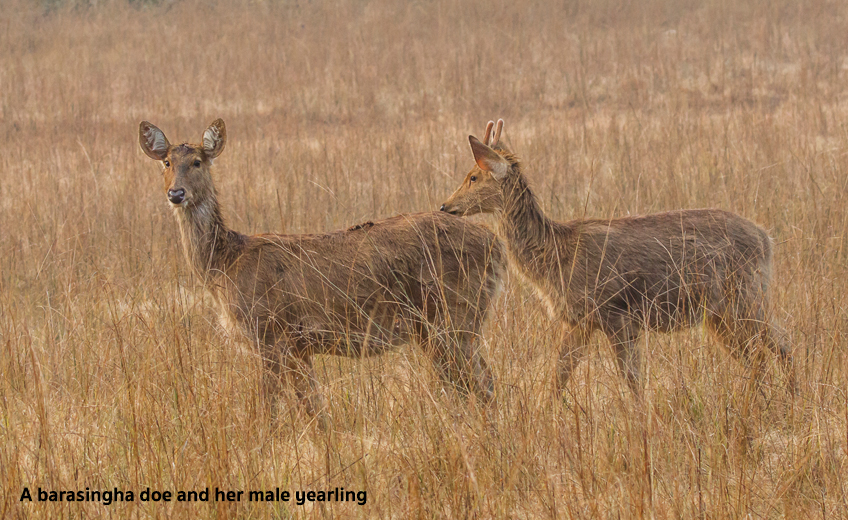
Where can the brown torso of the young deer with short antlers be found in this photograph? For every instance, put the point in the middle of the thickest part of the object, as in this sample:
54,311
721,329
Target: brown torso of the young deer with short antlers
667,269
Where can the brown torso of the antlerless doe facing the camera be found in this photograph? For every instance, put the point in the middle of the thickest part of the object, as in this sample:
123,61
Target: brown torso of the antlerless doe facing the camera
373,286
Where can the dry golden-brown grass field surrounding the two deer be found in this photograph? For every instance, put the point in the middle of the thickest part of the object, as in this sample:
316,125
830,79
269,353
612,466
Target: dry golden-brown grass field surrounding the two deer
114,372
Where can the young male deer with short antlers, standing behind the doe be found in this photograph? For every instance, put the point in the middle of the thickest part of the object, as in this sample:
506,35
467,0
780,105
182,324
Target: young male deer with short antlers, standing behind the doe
662,272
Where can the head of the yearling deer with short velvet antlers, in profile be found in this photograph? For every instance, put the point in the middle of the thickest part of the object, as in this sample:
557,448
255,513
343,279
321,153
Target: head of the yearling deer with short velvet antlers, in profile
480,192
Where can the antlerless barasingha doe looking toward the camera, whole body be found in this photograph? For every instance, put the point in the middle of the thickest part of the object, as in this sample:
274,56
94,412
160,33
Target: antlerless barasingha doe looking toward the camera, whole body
428,278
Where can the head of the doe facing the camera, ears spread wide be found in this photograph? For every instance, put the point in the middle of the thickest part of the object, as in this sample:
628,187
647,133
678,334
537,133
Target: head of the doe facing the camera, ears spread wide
187,176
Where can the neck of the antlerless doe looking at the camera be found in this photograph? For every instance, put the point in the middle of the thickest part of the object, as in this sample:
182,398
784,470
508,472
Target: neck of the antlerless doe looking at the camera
209,246
